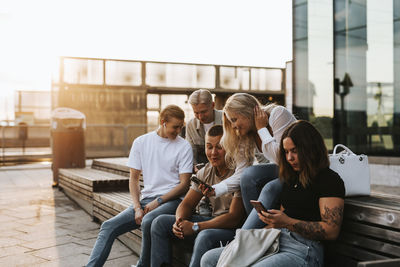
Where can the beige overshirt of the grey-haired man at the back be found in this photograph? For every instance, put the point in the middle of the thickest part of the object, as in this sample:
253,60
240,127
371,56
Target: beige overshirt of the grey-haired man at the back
195,135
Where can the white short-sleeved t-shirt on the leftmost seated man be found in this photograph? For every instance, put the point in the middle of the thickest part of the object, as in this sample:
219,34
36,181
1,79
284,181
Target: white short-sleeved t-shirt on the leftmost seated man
161,160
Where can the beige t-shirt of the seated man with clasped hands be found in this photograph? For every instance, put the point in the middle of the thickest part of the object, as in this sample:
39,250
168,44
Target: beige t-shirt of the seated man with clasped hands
220,205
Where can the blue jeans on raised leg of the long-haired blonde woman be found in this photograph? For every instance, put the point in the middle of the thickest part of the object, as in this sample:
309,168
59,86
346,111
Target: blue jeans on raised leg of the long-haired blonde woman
253,179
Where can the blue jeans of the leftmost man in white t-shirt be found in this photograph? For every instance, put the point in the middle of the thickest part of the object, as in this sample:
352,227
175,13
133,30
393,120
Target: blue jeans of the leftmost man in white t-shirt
123,223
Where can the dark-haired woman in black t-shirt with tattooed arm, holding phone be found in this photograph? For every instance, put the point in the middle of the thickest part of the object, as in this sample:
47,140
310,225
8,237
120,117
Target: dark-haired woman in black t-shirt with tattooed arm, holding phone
312,201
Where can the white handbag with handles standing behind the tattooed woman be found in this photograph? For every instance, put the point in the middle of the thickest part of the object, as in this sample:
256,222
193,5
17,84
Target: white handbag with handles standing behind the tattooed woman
353,169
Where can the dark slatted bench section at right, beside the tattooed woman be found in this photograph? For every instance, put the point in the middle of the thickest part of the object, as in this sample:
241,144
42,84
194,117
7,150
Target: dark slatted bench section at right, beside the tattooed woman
370,233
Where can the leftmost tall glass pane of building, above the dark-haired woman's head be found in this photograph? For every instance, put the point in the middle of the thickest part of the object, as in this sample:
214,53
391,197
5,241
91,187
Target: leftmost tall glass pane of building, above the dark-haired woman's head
313,65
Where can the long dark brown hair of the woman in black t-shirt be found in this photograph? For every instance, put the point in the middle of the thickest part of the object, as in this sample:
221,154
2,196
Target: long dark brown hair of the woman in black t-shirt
311,152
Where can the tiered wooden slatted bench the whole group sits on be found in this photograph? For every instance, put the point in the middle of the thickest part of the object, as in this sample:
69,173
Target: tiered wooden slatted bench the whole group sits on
370,234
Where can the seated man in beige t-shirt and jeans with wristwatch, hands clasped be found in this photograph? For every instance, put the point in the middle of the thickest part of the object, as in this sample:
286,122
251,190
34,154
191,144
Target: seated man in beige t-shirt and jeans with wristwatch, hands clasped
208,232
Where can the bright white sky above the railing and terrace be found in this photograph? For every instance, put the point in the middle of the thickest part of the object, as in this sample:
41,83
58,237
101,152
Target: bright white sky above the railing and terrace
232,32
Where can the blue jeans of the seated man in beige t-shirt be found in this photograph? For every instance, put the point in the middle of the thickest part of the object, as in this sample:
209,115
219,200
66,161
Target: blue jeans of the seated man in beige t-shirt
161,235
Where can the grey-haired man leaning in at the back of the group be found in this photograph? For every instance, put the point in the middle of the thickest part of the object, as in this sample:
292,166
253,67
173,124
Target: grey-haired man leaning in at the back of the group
205,117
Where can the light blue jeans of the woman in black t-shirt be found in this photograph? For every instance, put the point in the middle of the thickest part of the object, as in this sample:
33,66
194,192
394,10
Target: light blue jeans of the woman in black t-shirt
294,250
